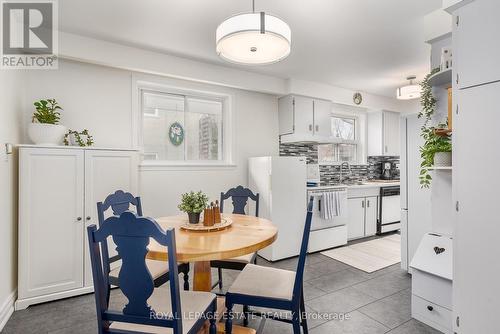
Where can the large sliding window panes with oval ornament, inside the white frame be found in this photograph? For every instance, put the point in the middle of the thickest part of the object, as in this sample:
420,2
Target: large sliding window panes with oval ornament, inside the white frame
182,128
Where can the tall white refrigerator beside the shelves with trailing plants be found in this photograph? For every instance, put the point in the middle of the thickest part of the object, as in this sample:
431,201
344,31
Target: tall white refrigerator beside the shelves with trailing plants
416,217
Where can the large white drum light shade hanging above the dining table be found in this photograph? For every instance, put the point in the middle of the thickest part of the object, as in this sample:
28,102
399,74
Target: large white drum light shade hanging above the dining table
253,38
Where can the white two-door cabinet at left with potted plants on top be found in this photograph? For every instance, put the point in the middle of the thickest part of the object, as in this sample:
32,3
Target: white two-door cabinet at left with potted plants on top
58,191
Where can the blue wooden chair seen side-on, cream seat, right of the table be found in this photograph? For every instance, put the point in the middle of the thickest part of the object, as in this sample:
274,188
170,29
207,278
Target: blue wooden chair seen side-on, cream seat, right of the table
273,288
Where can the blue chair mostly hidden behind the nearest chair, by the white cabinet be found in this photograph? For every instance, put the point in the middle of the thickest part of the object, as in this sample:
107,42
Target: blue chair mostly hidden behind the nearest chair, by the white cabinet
120,202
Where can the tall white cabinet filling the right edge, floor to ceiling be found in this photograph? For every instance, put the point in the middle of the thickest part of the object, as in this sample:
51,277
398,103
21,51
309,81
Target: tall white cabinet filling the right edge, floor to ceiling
476,292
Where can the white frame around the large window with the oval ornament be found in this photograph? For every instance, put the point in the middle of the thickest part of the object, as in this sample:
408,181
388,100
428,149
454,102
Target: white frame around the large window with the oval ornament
227,126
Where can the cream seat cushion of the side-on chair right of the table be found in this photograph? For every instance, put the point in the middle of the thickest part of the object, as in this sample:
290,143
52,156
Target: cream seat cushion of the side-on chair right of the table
264,281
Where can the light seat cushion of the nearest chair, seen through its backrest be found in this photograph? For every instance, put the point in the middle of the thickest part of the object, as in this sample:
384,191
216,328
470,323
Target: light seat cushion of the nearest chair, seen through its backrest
193,303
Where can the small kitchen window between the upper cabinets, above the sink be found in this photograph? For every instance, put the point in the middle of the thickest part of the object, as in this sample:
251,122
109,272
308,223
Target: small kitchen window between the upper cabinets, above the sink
343,128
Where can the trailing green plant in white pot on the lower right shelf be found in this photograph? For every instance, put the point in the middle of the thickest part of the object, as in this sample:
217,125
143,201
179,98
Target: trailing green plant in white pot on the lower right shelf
436,152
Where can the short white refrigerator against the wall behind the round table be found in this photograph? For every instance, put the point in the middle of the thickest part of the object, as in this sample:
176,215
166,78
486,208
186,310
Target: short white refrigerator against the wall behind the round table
281,184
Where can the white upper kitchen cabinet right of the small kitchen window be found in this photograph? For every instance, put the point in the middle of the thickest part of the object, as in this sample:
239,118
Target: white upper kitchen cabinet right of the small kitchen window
383,133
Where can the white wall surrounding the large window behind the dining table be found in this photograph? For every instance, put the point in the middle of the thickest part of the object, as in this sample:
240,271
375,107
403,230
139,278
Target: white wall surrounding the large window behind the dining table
100,99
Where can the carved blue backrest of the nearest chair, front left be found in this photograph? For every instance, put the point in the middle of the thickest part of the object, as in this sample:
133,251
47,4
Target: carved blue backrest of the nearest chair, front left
132,234
